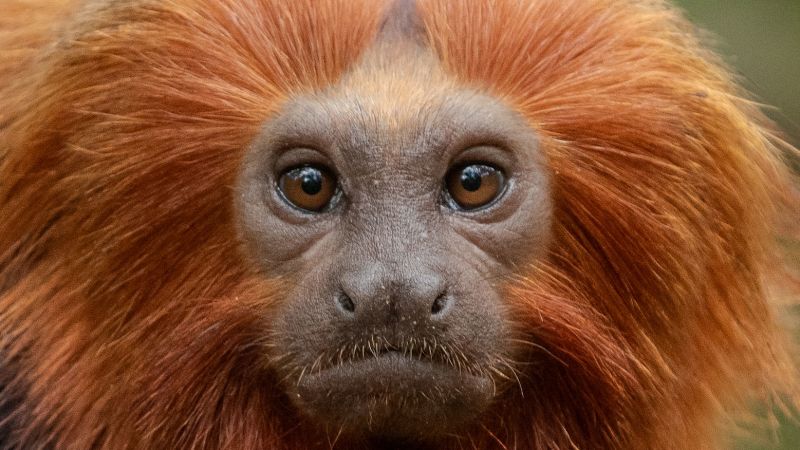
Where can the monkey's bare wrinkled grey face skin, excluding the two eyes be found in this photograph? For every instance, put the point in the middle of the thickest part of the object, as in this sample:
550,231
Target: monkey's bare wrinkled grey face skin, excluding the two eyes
394,325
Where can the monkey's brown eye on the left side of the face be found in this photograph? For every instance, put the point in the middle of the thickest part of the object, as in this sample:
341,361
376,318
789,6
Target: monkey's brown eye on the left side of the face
309,188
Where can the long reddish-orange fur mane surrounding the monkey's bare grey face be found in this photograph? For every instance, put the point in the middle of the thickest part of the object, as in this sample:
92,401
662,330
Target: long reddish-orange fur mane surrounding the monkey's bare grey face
138,324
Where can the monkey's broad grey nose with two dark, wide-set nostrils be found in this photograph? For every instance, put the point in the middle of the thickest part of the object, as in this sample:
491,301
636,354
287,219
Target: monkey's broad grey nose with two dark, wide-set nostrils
375,295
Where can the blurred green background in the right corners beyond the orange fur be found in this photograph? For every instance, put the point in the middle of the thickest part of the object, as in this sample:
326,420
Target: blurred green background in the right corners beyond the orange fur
761,40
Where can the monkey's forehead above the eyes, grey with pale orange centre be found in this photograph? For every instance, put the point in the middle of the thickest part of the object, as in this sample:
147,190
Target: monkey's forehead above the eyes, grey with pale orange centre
395,106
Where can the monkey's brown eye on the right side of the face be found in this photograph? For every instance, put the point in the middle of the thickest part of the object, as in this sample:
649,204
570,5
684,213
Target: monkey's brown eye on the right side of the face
473,186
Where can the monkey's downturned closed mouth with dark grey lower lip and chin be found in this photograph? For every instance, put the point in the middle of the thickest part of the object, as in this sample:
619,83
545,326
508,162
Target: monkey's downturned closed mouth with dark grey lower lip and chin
394,393
